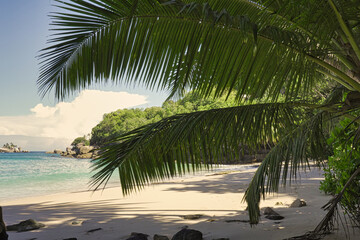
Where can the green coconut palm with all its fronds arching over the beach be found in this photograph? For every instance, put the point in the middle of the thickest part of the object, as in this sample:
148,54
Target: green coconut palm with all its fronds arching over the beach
276,54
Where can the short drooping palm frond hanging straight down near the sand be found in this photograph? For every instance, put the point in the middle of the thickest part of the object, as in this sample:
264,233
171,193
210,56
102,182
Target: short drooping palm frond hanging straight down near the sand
292,152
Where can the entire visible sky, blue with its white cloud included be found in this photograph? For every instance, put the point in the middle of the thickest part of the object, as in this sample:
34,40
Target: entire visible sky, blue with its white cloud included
24,115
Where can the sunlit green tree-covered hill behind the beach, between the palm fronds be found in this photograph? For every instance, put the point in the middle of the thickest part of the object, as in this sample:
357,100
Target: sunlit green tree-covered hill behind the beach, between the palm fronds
122,121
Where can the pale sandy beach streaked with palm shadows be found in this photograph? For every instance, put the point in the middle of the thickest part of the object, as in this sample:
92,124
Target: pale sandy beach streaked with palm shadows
158,210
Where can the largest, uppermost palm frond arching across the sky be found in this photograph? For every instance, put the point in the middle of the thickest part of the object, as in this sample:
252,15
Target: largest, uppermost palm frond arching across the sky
178,45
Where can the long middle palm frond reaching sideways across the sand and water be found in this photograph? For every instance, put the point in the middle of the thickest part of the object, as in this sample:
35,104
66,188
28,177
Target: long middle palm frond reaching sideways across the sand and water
188,142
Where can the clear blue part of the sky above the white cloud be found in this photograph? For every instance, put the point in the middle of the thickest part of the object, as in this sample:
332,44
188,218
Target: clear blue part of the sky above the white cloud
24,25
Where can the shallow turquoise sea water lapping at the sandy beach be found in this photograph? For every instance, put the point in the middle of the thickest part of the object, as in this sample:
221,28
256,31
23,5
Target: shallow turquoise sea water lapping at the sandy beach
37,173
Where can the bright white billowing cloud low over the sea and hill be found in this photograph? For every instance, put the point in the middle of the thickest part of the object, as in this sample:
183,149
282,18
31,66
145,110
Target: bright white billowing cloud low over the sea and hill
68,120
